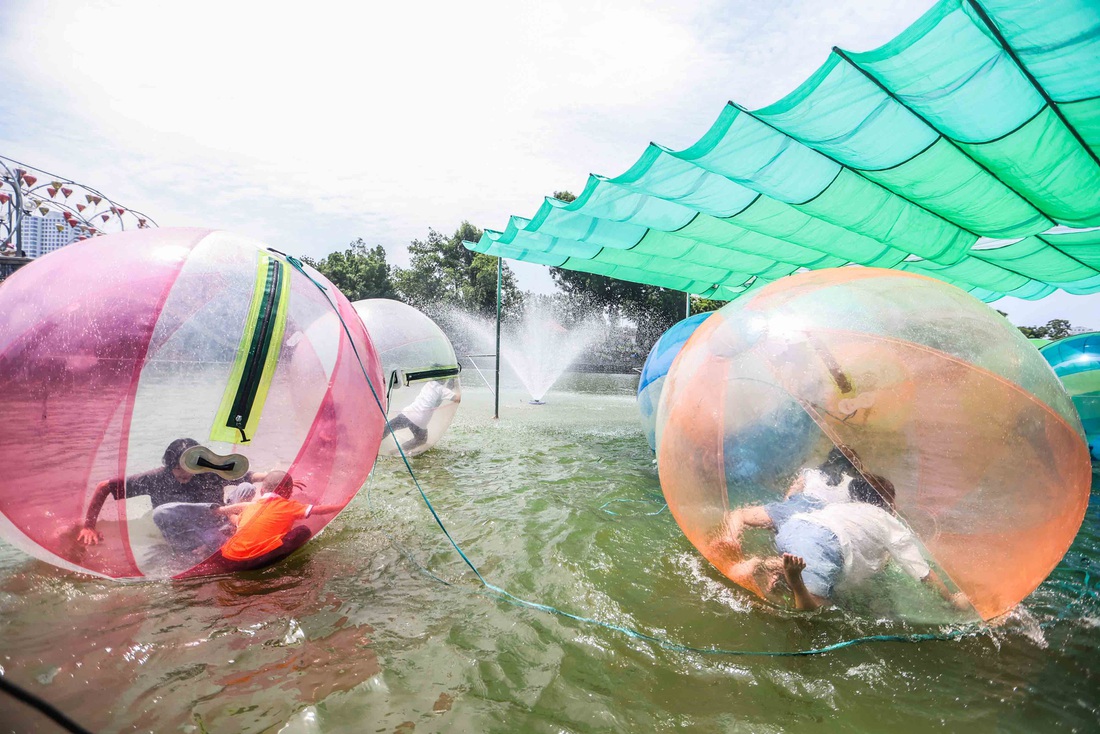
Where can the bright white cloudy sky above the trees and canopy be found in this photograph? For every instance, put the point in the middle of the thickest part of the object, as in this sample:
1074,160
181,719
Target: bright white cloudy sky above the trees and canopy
309,125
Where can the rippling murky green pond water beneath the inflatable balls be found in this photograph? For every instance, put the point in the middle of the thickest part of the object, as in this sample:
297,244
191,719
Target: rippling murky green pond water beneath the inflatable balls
351,637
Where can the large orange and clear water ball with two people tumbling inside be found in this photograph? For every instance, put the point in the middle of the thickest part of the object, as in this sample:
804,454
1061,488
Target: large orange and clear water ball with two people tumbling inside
873,440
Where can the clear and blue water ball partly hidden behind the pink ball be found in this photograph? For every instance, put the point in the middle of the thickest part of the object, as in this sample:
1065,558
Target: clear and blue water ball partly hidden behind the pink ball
413,350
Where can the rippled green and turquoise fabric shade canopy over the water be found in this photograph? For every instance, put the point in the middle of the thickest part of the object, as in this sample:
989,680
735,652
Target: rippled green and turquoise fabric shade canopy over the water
967,149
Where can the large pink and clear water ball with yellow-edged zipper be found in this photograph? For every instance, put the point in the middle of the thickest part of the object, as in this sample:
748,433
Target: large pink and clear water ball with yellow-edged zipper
152,377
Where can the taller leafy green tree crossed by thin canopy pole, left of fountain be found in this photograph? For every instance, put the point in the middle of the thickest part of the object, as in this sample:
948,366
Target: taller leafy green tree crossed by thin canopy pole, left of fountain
445,273
